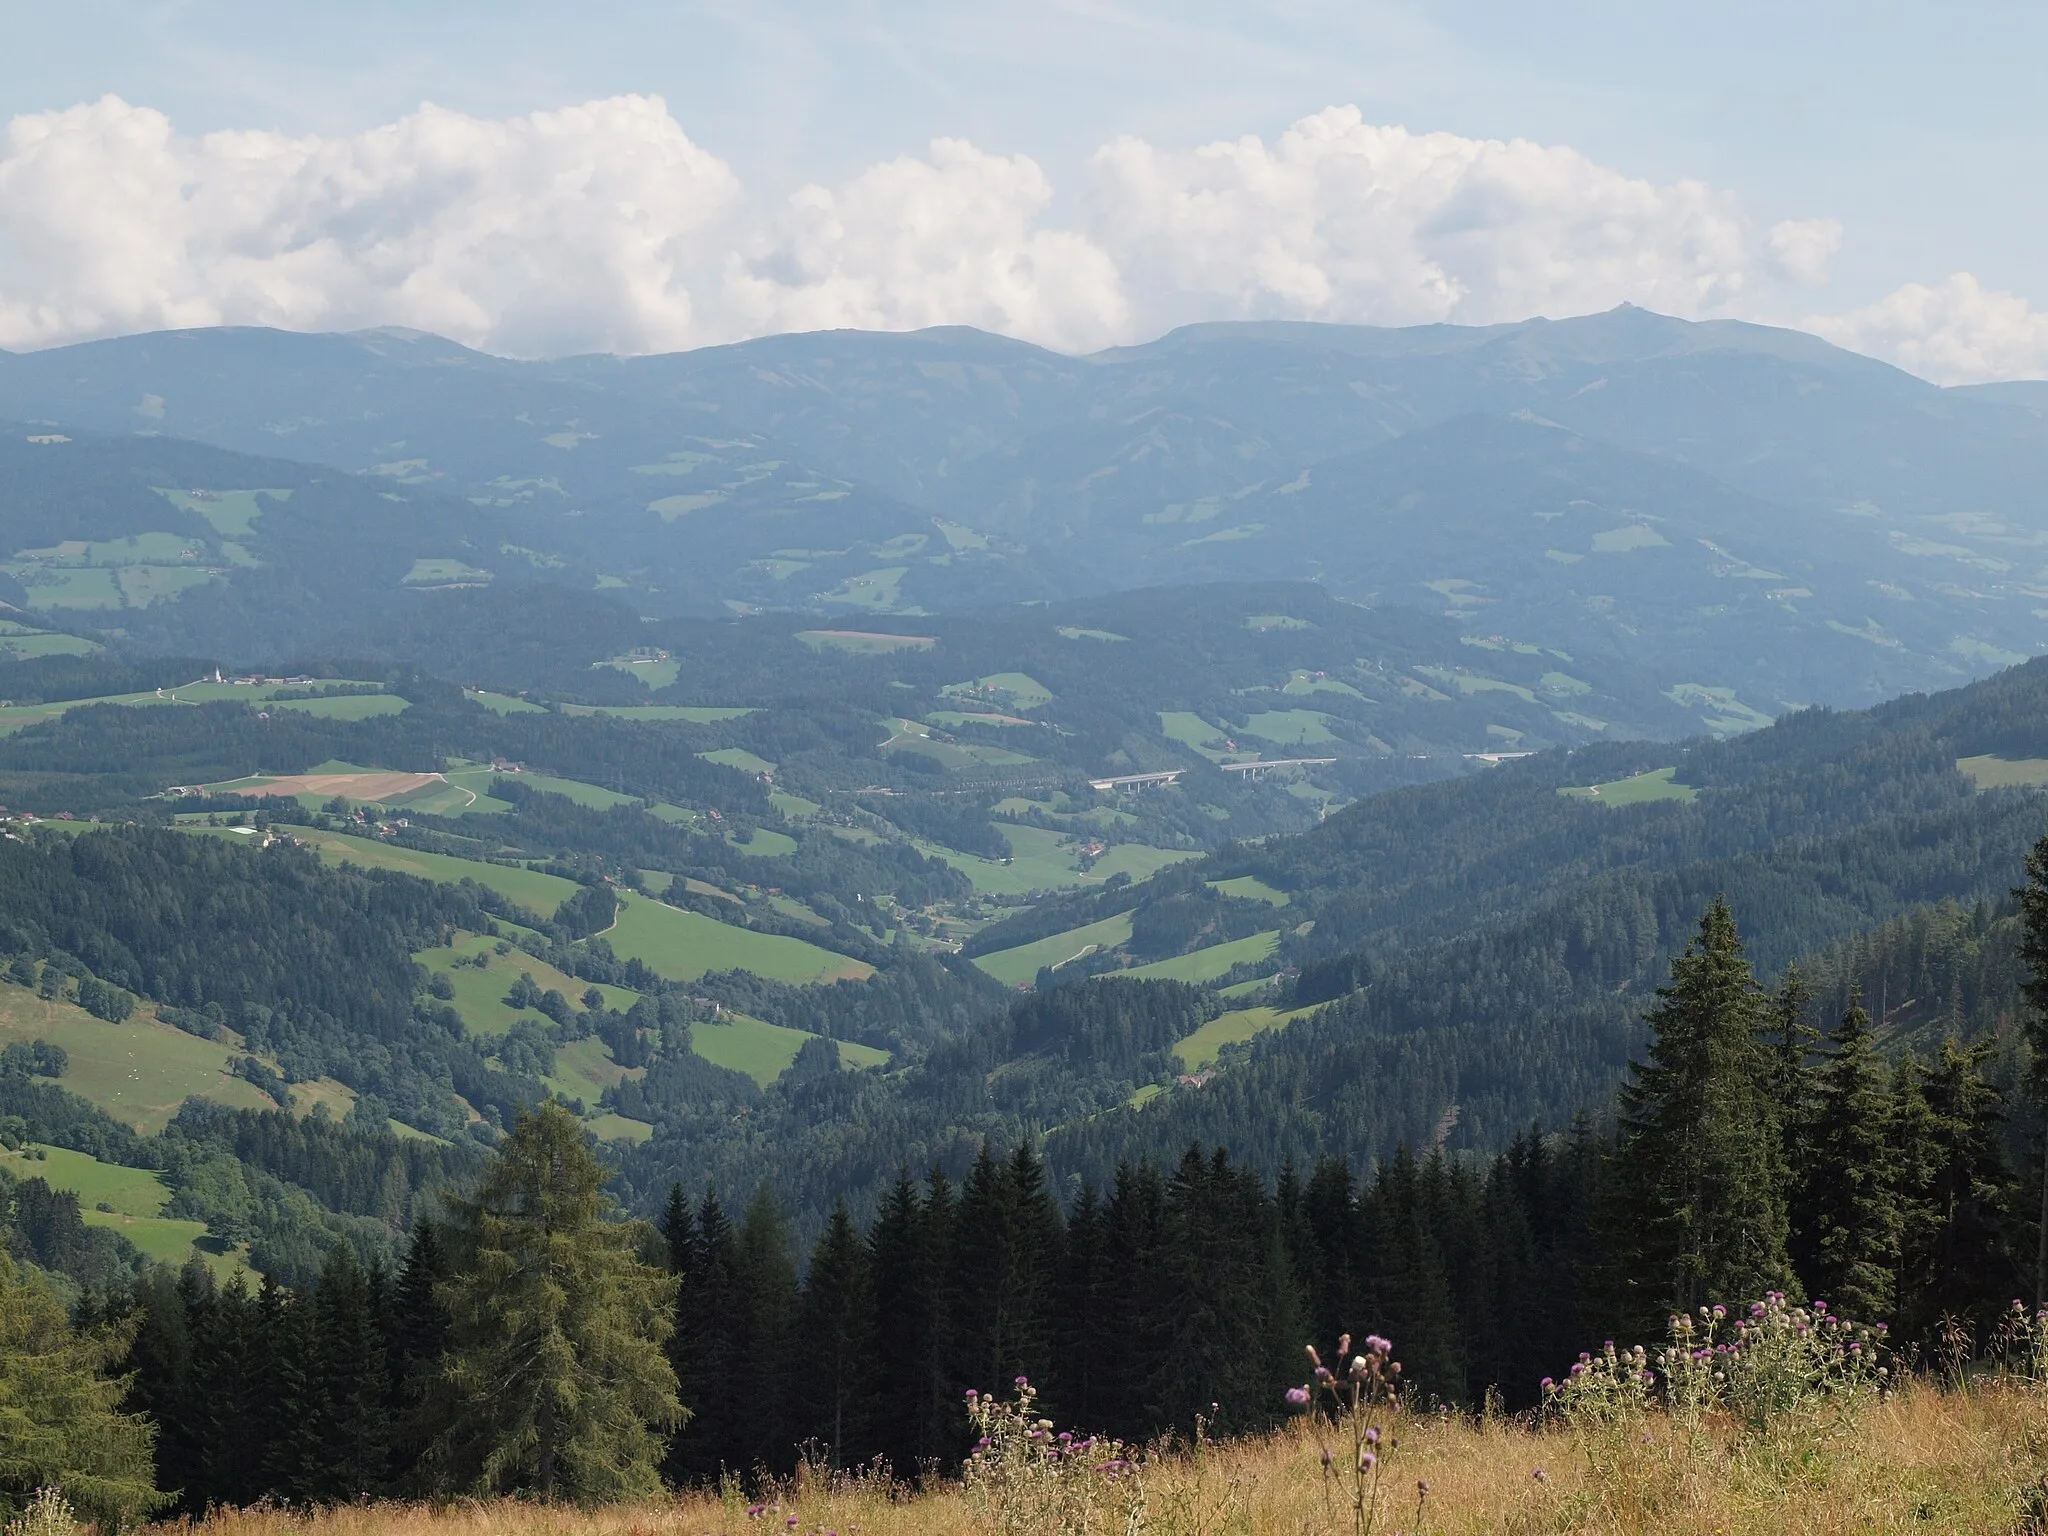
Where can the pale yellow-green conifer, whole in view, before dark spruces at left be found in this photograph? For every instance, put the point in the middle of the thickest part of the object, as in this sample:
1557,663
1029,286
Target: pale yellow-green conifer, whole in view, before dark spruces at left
556,1375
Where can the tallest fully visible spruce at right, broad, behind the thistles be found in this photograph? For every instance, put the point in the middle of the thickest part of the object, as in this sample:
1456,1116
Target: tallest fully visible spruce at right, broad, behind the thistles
1699,1207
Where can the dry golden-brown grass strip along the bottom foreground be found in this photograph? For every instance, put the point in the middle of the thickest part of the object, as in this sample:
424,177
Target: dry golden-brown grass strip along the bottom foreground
1924,1461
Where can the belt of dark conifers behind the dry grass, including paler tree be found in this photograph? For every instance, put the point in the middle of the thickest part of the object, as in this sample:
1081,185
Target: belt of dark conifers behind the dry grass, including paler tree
531,1342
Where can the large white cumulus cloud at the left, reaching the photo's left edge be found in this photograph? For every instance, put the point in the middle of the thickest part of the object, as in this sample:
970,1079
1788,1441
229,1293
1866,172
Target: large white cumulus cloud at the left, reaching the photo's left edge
552,232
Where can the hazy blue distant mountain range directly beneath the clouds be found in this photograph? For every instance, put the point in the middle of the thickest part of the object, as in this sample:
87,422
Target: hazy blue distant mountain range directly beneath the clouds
1742,515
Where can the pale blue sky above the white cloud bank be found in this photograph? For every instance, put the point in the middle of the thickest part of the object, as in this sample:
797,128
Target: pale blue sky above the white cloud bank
1918,128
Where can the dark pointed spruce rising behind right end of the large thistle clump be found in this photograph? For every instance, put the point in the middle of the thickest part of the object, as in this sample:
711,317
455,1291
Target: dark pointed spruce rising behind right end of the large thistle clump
1846,1207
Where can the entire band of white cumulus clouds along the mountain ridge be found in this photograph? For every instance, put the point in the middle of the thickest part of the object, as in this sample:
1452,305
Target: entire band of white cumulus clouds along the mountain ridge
605,228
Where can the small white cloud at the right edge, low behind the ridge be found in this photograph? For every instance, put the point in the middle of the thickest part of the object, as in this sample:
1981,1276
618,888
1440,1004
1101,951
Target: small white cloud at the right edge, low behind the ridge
1953,333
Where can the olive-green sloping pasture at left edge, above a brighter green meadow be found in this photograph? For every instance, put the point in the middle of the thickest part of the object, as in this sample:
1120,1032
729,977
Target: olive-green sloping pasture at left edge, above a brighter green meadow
138,1072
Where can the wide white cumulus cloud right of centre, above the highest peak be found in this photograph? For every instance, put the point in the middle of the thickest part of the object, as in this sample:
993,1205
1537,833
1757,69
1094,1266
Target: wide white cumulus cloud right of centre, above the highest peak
1342,220
